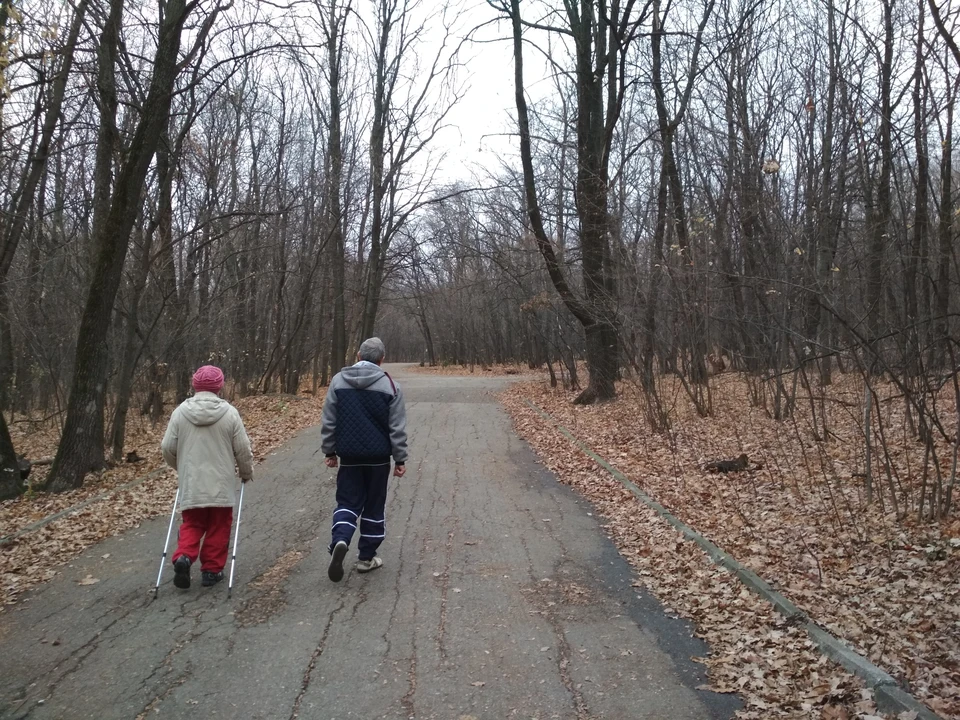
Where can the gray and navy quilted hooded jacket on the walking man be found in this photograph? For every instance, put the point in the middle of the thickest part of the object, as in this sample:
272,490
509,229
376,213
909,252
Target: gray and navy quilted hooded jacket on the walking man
364,417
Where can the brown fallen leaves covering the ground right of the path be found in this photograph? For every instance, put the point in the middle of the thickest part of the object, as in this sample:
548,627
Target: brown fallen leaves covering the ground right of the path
800,522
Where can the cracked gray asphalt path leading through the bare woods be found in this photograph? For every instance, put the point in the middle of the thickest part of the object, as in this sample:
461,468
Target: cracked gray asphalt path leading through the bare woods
500,597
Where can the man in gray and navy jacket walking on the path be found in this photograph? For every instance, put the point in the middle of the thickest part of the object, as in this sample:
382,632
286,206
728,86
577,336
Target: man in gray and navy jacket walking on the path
364,423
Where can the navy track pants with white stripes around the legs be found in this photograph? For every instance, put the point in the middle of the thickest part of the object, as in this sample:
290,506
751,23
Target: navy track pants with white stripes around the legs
361,497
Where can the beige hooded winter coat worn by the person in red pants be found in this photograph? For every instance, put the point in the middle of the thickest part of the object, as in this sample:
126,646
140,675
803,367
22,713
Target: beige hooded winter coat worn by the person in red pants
204,441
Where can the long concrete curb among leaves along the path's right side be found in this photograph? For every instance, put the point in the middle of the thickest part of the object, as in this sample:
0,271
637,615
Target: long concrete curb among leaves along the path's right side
888,694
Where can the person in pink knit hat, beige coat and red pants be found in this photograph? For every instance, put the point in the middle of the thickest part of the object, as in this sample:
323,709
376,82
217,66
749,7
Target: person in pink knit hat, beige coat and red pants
207,444
